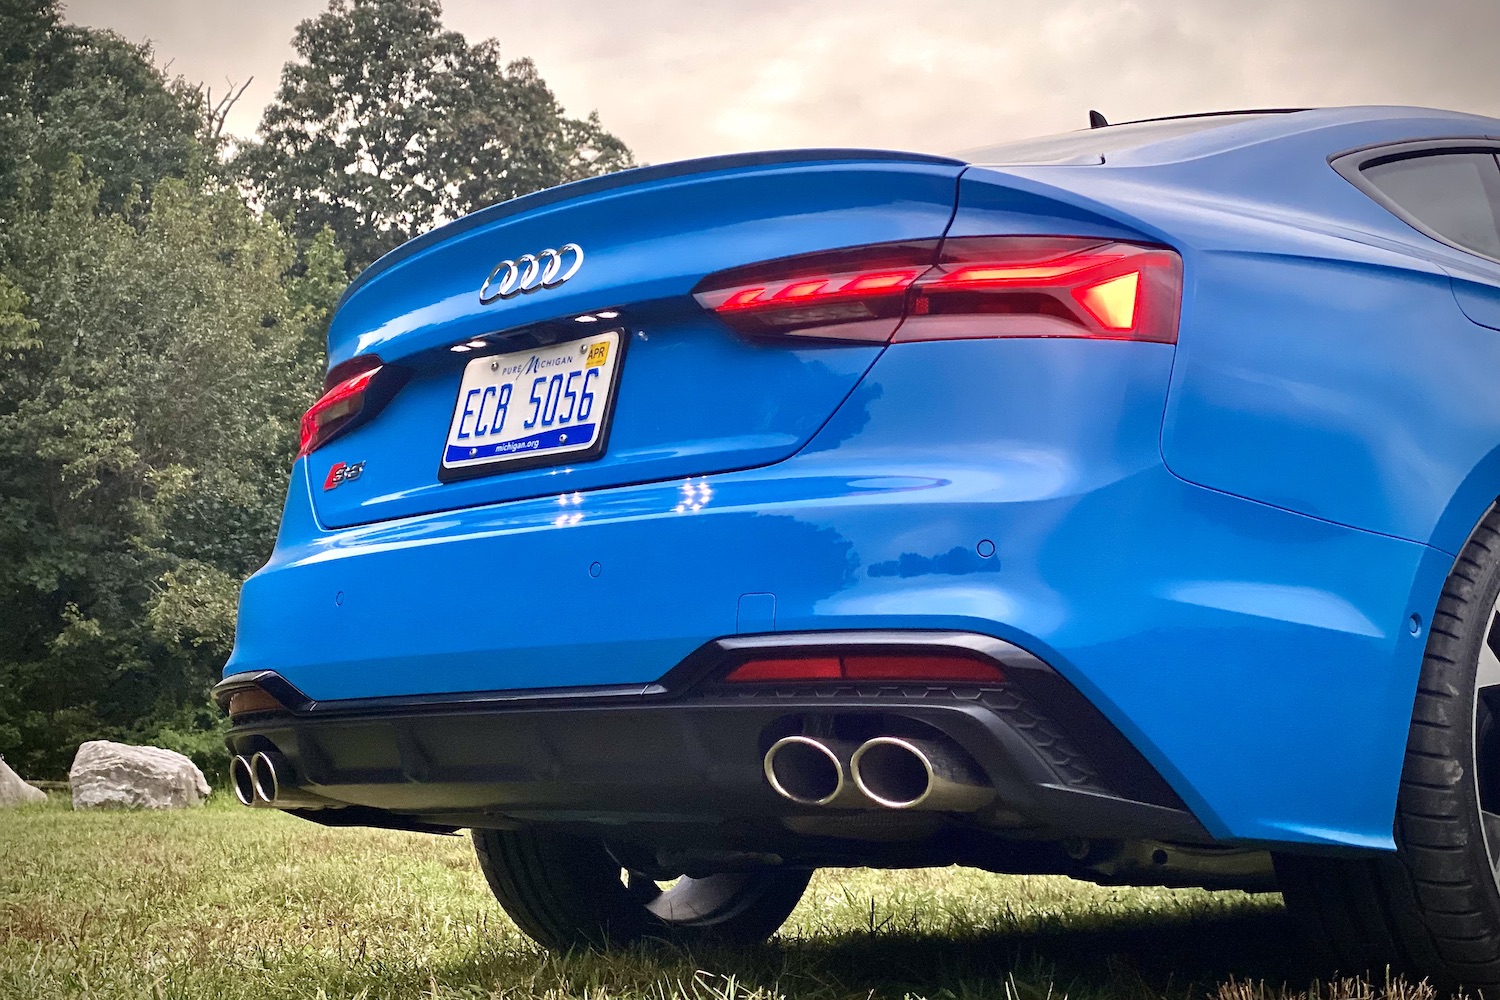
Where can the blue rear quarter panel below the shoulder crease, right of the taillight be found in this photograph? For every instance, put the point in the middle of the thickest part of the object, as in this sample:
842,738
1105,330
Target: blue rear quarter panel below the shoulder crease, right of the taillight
1348,389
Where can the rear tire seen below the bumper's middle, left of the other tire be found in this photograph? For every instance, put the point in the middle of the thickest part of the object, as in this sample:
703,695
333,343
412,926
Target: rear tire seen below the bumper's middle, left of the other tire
569,891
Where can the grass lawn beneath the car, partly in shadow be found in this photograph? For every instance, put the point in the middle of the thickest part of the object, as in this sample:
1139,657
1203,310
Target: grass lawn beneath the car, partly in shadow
232,903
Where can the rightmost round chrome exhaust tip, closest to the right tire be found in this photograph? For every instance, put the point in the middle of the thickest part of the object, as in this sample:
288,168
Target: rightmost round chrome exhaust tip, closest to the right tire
919,774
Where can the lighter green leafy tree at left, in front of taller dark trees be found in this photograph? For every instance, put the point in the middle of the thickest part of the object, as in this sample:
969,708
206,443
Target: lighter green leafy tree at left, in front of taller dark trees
152,368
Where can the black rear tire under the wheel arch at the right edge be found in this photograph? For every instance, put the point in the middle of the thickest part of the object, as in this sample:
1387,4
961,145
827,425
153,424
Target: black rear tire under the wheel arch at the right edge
1433,909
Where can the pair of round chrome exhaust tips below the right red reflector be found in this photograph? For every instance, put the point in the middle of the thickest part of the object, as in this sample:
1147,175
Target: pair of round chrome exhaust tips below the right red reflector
895,773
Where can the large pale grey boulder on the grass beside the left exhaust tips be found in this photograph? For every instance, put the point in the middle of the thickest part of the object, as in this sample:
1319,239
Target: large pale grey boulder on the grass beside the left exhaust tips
148,777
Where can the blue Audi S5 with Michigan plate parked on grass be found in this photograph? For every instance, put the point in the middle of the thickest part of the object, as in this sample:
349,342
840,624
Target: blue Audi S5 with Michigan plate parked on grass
1117,504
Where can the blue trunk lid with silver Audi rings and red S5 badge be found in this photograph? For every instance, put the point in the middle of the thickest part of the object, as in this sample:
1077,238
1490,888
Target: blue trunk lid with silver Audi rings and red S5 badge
691,397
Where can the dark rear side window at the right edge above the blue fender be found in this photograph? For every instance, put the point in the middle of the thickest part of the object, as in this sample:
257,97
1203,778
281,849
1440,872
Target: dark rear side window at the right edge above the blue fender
1454,197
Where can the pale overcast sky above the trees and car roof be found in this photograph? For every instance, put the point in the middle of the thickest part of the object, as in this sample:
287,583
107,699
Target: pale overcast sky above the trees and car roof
679,79
